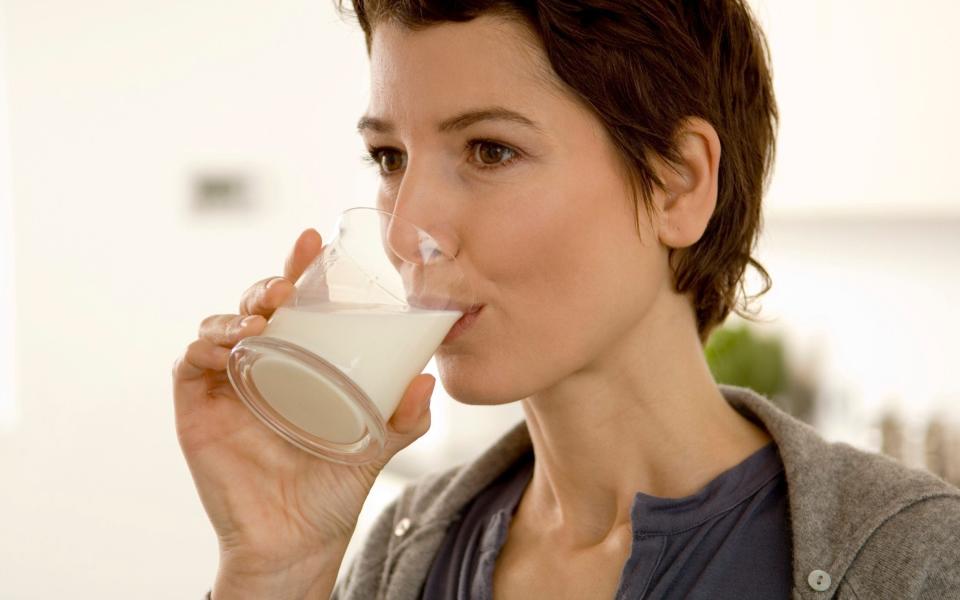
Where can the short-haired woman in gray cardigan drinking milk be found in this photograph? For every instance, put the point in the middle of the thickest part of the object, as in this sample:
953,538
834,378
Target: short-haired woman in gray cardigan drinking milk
599,167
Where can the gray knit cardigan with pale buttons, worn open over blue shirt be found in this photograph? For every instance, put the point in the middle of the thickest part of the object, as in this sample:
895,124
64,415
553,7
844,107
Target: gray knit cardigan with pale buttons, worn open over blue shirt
864,526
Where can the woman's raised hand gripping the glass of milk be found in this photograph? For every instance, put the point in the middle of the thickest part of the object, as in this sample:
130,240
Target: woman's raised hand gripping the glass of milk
280,514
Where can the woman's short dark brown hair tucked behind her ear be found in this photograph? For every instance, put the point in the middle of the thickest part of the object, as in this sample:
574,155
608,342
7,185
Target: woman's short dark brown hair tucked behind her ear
643,66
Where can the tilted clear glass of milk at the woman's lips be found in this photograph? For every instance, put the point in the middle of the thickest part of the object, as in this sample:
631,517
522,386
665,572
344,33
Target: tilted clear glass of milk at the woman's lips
365,318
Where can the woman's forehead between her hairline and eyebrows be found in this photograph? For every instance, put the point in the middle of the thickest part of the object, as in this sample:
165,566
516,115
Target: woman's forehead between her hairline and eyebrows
489,60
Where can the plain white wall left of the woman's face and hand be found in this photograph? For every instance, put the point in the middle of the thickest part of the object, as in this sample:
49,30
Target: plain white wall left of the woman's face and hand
113,104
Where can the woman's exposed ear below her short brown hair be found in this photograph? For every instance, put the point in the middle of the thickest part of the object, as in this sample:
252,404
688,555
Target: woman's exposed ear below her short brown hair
685,207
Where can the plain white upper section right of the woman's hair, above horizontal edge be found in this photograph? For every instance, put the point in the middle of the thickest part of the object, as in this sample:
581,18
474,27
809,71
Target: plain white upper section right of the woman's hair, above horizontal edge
868,91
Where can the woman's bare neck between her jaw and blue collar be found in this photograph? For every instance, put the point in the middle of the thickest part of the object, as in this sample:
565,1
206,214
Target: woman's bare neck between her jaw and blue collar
634,421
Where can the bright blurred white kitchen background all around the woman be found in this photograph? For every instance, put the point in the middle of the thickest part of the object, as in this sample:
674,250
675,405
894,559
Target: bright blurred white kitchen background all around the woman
157,158
